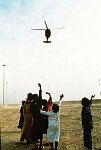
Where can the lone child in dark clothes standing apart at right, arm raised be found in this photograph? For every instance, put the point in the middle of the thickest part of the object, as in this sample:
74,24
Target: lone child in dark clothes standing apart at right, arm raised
87,122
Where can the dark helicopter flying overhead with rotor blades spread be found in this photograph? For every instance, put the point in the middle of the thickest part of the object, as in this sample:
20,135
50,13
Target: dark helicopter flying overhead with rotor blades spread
47,32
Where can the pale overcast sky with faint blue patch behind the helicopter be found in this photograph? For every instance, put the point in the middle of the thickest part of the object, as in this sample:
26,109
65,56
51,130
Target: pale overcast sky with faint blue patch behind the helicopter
70,64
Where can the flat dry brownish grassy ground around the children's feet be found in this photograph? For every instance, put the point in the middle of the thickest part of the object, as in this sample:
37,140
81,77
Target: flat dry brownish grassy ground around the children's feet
71,130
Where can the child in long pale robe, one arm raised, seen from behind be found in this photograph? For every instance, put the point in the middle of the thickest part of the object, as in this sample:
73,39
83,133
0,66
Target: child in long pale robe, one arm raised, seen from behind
53,131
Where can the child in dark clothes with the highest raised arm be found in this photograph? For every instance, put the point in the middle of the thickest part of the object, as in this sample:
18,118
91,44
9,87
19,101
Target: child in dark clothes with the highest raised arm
37,132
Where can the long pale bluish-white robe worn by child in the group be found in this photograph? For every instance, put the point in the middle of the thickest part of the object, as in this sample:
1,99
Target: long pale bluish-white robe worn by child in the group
53,131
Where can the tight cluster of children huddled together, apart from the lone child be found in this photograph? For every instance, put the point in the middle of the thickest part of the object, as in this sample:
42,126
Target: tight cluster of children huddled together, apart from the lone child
38,117
